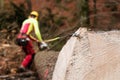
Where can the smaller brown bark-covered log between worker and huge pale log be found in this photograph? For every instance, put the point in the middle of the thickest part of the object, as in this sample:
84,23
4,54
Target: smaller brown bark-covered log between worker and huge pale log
45,62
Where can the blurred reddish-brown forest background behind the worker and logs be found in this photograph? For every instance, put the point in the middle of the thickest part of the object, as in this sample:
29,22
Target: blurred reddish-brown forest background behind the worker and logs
60,17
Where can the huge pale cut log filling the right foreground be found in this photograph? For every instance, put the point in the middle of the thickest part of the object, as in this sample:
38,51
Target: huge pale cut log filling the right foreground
96,56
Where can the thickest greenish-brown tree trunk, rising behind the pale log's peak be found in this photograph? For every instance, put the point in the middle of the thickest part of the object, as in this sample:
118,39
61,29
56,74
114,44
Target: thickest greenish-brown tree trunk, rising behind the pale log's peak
83,12
